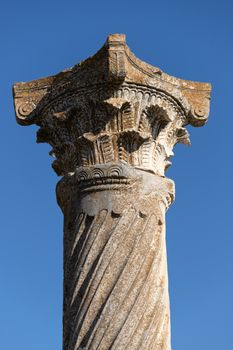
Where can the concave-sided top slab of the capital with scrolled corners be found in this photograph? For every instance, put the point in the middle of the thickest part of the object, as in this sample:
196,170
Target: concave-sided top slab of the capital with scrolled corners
114,63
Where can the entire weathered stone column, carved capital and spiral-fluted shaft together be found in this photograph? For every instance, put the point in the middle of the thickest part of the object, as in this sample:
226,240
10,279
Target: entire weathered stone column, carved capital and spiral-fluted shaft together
112,122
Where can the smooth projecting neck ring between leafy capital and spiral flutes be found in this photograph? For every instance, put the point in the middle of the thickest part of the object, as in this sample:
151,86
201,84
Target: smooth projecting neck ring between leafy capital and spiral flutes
114,177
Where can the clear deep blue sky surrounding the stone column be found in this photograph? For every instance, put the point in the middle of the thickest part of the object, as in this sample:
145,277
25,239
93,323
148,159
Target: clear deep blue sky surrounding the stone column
188,39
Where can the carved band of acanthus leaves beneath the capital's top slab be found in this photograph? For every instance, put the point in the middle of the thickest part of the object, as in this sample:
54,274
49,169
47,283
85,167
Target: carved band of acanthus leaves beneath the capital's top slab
116,129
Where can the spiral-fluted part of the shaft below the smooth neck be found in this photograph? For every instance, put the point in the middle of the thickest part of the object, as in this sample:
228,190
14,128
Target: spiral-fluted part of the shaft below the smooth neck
116,283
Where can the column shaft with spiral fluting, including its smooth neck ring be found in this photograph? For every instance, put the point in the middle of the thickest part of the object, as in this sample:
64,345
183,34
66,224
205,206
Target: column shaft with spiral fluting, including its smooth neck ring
115,270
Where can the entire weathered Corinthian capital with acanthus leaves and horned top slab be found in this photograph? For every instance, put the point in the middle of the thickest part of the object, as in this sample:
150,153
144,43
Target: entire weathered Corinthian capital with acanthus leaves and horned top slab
112,108
